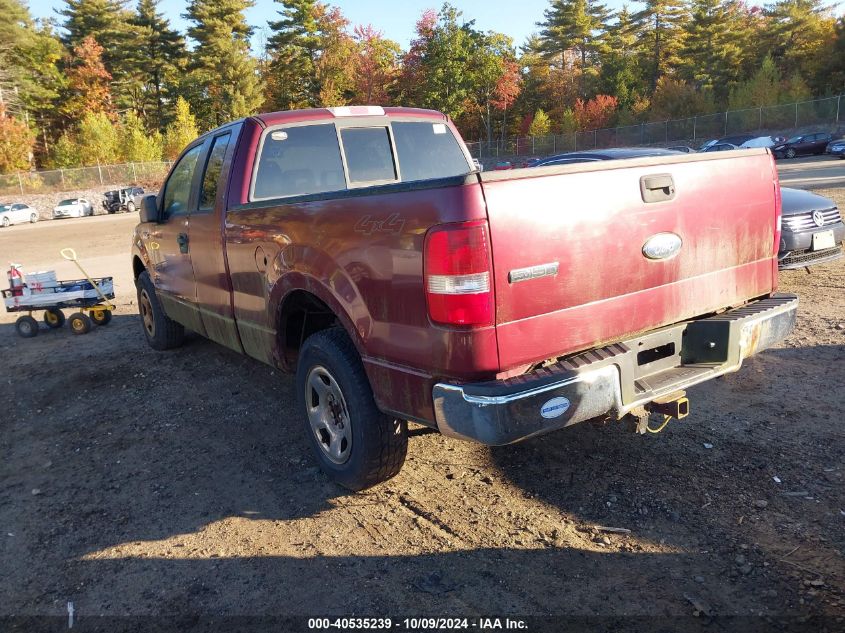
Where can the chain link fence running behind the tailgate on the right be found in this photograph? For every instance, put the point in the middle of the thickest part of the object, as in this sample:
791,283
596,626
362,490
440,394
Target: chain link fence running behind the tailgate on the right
768,120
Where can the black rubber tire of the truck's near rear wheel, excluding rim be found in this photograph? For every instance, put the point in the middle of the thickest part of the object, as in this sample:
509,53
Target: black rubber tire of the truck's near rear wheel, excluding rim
379,442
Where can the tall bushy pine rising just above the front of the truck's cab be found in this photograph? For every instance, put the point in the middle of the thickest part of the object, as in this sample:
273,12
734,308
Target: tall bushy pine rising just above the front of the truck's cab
223,73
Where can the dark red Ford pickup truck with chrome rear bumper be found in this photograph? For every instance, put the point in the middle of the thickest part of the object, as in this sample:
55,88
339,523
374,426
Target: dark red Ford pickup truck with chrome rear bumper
360,249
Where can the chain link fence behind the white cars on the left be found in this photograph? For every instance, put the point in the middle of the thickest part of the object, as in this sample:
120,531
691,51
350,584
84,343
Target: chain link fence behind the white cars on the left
56,180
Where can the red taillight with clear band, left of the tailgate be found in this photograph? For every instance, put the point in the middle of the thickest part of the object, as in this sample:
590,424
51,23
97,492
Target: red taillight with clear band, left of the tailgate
458,283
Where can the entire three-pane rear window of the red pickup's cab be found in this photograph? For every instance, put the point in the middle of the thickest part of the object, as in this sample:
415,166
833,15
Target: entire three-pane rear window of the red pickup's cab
328,157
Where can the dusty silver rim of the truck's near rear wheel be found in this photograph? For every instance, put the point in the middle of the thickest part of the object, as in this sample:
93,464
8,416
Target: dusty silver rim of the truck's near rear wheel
328,415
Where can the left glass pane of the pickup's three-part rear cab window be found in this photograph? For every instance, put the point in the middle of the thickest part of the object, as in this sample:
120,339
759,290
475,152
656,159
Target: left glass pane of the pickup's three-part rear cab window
299,160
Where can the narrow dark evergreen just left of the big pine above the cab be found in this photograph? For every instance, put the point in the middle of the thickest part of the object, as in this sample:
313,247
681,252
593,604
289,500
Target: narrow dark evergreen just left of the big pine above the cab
160,57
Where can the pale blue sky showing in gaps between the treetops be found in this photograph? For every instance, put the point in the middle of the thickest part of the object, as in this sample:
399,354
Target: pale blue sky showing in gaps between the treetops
395,18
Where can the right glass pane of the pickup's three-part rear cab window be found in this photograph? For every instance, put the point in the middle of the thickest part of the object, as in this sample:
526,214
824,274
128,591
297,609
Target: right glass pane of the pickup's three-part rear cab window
427,151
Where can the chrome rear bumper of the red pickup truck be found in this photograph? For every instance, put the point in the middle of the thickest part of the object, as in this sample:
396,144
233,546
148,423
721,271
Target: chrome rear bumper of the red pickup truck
612,380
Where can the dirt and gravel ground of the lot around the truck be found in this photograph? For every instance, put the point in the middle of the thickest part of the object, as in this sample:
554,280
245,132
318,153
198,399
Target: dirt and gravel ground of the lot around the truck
144,483
